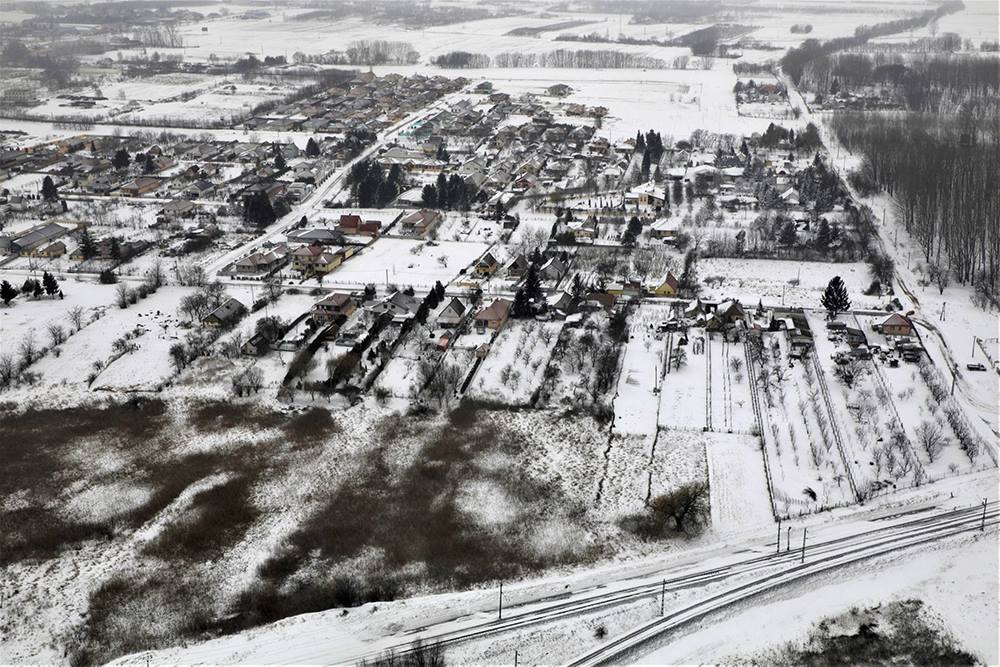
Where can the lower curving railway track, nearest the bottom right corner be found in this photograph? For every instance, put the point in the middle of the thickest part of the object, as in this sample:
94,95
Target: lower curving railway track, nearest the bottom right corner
620,646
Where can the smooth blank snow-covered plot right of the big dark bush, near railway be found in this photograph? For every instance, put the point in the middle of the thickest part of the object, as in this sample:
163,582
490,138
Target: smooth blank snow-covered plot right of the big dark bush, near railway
737,482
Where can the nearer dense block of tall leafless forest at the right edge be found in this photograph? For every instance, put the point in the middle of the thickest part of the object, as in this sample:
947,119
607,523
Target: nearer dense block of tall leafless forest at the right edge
942,172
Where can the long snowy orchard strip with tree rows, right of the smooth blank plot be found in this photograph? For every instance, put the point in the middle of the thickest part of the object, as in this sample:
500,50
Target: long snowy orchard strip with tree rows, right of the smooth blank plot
807,471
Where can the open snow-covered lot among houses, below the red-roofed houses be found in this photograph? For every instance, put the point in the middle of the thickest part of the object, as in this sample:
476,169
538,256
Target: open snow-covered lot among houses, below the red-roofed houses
406,262
